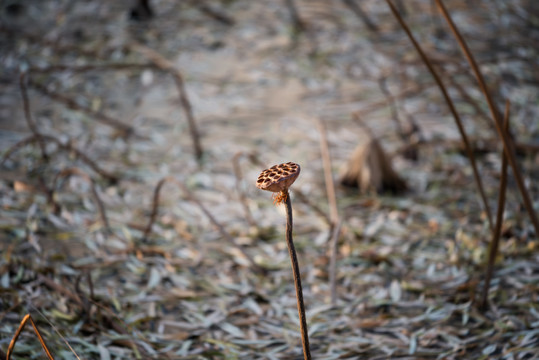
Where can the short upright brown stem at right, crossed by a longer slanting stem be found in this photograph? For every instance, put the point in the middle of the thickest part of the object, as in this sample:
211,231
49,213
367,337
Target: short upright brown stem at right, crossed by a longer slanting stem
493,249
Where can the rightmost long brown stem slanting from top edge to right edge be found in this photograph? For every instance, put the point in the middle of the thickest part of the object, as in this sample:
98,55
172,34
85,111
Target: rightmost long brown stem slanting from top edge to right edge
506,140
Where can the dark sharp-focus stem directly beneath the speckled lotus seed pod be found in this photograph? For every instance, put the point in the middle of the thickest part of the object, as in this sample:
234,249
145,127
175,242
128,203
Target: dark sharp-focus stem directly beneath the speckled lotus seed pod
297,280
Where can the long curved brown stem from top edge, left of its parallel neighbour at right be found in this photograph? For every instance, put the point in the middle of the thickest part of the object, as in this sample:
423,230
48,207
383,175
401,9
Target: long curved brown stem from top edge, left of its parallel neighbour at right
452,108
